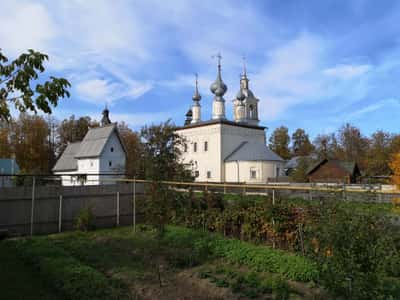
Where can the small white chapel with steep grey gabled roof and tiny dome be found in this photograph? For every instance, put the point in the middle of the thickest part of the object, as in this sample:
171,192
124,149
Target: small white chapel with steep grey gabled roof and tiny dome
98,159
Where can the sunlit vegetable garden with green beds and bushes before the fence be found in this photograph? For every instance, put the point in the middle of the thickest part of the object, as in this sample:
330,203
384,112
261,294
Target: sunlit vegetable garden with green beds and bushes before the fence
199,245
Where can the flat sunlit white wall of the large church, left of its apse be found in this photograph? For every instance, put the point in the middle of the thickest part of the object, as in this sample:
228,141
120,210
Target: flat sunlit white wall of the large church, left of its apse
207,161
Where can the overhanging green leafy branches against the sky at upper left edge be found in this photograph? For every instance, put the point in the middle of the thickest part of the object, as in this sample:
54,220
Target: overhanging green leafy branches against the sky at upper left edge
19,86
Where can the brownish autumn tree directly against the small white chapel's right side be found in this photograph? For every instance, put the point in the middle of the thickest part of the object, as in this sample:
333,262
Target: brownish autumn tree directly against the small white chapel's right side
133,148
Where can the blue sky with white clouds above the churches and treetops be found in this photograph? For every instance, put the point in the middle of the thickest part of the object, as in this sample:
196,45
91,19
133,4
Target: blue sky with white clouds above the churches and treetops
313,64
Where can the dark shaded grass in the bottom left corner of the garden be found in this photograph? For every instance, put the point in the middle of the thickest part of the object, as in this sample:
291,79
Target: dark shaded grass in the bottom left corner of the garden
21,281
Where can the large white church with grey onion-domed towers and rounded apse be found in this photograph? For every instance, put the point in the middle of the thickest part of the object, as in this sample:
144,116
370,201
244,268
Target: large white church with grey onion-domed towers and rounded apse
222,150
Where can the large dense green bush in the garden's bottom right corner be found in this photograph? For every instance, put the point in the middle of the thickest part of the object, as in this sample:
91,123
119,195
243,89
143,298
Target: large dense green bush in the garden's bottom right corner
355,253
